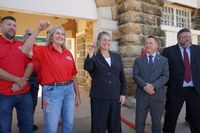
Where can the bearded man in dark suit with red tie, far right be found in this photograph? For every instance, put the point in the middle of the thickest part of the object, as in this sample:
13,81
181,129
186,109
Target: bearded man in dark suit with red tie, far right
184,82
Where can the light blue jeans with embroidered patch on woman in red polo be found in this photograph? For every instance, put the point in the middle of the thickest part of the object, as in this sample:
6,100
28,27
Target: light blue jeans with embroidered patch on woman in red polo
58,100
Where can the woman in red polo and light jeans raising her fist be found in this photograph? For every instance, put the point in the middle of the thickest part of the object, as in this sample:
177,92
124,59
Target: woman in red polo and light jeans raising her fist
58,78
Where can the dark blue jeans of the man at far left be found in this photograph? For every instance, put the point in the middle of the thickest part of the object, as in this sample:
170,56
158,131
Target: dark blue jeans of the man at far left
24,107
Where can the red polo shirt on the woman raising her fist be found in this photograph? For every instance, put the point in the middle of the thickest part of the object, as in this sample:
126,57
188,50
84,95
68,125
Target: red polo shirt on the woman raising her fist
55,67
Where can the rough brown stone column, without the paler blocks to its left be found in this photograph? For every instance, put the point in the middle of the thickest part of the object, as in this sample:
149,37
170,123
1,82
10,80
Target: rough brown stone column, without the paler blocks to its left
137,19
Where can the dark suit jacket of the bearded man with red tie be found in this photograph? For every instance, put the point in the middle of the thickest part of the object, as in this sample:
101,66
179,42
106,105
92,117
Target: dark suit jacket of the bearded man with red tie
177,68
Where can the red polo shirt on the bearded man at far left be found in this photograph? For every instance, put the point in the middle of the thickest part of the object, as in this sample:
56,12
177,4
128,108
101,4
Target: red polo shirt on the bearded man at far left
13,61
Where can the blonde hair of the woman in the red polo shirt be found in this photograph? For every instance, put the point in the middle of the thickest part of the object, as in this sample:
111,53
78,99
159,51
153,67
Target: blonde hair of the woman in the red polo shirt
49,38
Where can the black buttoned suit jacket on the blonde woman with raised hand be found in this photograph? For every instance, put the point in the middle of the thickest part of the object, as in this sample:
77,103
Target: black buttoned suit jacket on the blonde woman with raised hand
107,82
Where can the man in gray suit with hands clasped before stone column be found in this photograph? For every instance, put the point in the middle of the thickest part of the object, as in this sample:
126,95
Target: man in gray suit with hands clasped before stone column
150,72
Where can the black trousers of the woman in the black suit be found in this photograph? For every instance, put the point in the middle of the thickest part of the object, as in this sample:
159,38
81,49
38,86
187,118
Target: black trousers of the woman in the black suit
105,115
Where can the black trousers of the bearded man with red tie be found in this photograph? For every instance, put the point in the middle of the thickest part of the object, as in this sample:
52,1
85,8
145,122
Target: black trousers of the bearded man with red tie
173,107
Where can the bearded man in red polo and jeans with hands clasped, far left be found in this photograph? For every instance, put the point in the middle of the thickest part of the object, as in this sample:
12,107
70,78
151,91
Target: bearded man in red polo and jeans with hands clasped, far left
14,73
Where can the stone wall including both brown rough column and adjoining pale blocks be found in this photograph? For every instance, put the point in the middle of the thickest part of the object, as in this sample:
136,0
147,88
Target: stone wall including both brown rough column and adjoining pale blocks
129,22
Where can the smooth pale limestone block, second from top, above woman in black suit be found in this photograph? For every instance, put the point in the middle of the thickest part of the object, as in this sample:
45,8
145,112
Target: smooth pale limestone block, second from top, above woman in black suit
104,13
